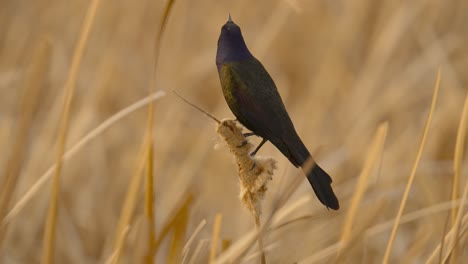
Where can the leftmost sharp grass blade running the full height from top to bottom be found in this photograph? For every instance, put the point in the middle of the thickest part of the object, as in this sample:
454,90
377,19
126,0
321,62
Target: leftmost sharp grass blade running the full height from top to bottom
49,233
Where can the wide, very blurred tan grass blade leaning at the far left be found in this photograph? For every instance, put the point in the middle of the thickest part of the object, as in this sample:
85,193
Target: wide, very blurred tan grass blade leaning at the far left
32,86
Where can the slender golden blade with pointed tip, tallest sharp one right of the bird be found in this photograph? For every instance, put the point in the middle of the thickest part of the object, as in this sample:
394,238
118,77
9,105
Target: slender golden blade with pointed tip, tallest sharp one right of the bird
413,172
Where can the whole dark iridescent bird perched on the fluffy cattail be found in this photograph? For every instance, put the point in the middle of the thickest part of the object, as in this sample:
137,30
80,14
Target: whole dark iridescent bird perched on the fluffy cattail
252,96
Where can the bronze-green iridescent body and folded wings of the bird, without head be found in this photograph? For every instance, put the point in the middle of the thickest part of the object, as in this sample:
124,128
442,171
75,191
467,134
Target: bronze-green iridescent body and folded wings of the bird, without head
258,106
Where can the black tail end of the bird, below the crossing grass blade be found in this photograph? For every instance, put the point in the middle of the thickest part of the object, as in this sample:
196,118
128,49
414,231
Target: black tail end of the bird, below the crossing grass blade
321,183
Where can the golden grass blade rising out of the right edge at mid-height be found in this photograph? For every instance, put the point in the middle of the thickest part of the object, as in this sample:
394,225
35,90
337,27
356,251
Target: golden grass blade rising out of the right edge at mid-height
458,157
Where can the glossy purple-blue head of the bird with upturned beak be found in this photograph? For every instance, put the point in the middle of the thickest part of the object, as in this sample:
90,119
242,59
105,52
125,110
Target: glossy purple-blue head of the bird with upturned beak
231,44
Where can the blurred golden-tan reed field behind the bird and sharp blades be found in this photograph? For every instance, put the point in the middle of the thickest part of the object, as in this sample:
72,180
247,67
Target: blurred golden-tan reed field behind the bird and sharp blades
342,68
